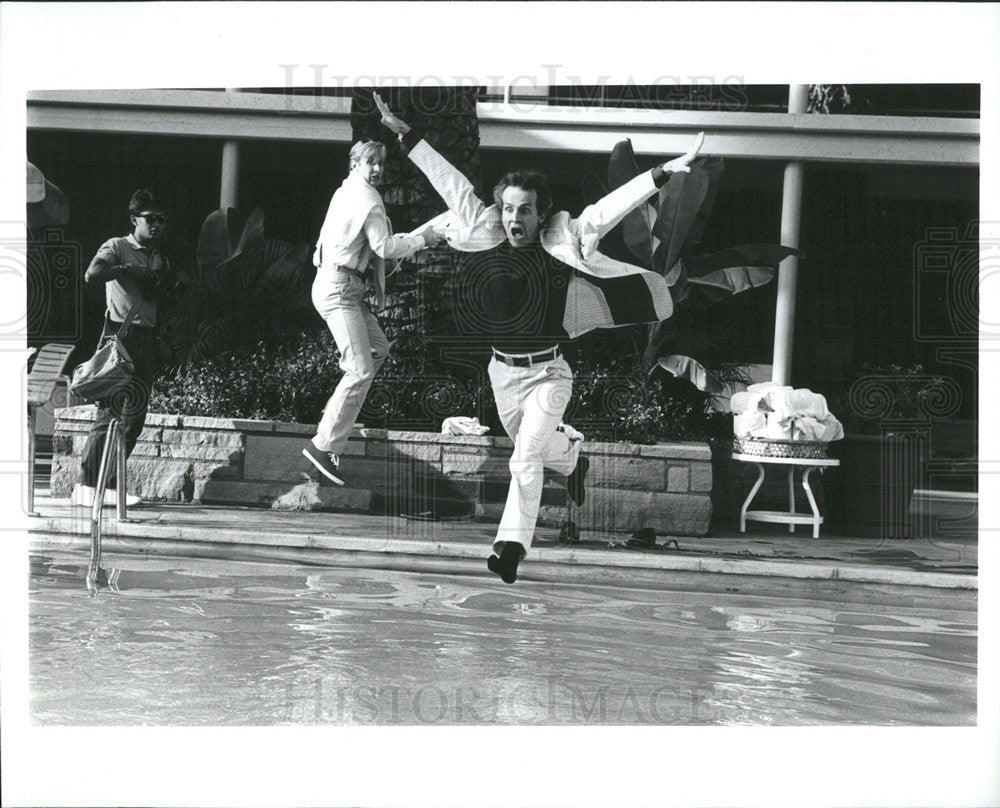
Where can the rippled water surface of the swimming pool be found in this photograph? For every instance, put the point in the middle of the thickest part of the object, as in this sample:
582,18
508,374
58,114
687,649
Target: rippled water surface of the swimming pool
213,643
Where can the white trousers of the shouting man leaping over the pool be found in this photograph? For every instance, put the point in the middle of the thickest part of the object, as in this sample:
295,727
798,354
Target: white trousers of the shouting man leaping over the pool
531,402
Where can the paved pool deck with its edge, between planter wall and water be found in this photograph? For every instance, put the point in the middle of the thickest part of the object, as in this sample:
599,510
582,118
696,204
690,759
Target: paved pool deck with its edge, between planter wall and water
766,559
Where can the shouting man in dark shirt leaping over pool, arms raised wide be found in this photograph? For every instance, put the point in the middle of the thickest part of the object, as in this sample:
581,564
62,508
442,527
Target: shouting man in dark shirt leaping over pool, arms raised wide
534,280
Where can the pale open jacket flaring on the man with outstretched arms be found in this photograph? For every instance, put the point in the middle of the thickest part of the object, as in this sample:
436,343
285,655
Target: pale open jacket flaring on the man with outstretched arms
619,294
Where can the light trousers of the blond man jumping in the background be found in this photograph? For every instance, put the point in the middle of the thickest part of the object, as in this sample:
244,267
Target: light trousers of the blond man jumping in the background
339,298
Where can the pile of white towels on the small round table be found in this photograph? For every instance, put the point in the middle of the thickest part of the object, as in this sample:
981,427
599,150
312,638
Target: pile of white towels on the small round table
777,412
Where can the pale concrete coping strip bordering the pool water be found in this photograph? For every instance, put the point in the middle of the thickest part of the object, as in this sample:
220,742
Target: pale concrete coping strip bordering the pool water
632,568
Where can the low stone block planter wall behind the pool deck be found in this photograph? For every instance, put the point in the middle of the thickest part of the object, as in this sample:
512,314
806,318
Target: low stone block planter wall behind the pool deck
181,458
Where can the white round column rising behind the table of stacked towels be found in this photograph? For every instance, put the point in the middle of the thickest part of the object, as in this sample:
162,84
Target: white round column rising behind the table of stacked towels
791,217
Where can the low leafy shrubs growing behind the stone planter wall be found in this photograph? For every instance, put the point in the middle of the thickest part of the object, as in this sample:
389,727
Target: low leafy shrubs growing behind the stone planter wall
613,399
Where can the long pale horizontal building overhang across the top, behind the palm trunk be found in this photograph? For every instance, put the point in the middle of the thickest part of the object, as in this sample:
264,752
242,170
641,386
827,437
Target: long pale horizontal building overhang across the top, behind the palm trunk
856,139
